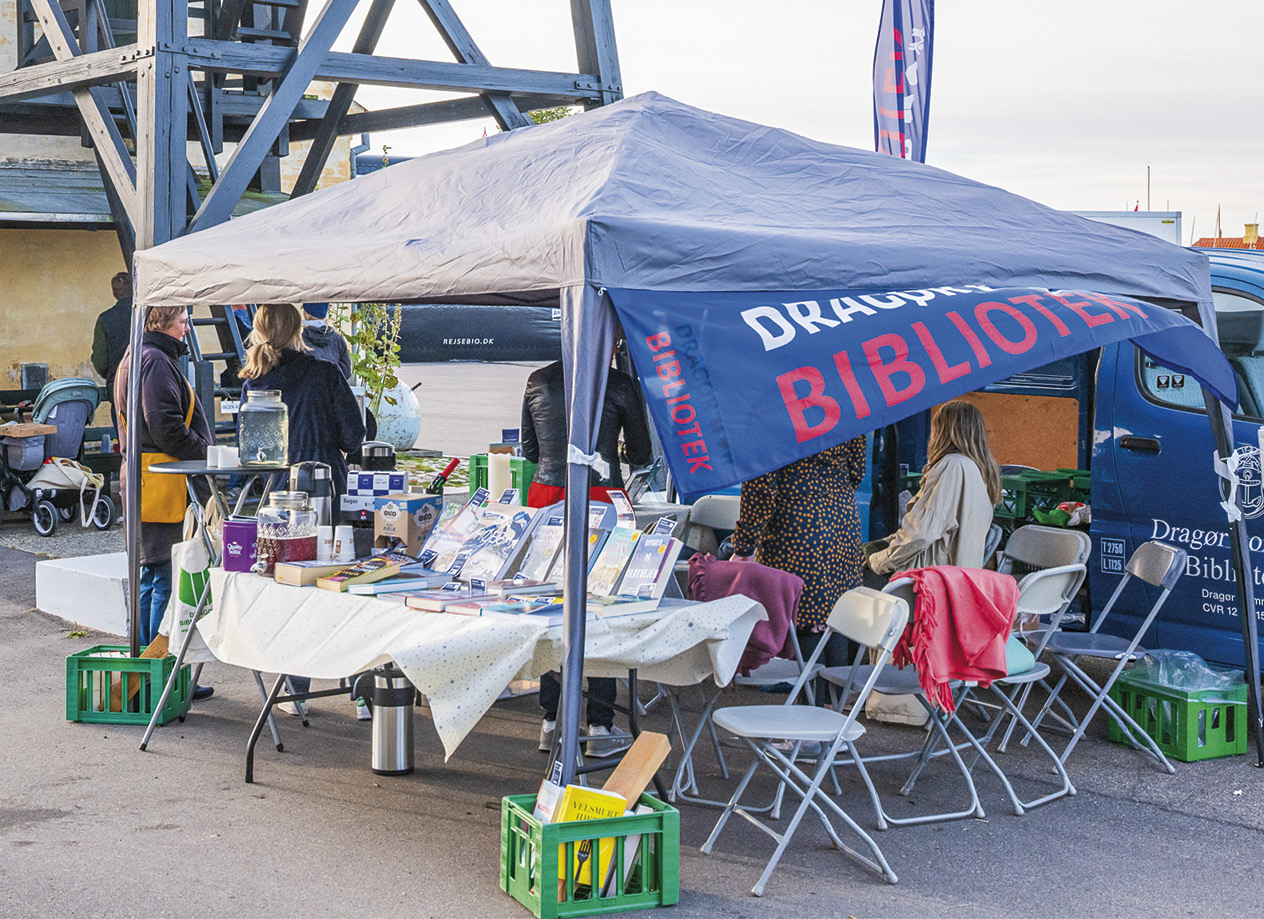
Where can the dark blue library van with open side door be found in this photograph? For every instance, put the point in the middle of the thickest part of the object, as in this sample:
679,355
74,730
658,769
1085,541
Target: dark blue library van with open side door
1142,432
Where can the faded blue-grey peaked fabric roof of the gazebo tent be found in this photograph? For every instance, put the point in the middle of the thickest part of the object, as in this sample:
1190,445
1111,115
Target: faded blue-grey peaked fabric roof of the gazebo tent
652,194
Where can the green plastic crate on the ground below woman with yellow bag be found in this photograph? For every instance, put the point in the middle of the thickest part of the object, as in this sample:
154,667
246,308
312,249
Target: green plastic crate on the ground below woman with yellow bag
94,674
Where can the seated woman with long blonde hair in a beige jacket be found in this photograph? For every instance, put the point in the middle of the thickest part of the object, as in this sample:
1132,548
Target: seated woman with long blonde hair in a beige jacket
949,520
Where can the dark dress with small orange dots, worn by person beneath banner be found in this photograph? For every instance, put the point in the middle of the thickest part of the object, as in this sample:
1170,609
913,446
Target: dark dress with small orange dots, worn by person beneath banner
802,519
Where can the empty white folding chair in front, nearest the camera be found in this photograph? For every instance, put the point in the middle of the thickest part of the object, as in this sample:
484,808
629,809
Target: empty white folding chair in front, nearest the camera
873,619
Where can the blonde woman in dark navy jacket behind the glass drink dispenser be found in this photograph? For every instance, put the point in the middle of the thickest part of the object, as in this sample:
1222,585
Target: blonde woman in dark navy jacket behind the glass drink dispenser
325,420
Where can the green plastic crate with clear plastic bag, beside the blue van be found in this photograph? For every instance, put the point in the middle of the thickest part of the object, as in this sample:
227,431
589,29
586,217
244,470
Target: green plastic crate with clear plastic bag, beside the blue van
1204,725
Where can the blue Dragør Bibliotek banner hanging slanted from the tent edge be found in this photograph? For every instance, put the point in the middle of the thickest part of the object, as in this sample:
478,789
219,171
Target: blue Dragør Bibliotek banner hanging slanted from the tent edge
744,384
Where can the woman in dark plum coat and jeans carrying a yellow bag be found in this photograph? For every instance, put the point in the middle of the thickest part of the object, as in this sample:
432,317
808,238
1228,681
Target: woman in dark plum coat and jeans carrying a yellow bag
166,399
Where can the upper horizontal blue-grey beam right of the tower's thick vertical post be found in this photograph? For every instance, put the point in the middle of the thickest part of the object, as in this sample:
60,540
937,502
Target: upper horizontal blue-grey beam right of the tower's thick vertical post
343,68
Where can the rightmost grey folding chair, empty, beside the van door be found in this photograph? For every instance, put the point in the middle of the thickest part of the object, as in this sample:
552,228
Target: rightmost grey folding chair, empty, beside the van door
1153,563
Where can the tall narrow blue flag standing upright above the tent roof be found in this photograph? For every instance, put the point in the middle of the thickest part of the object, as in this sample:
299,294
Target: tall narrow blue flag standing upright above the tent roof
902,79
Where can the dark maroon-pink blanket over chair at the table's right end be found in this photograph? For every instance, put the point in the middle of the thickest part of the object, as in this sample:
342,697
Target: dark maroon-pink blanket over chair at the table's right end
777,591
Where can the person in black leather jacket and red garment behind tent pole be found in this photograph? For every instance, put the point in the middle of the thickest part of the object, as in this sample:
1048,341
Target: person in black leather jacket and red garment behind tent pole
544,442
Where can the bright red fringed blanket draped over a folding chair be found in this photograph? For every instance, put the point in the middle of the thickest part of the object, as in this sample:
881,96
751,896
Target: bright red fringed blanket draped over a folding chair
959,630
